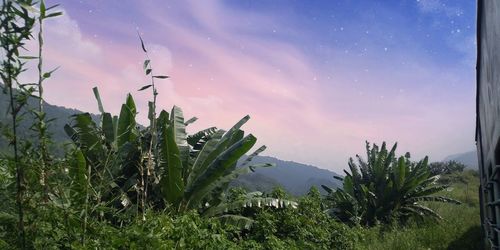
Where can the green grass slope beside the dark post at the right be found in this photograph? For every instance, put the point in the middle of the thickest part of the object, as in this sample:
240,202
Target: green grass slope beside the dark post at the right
459,229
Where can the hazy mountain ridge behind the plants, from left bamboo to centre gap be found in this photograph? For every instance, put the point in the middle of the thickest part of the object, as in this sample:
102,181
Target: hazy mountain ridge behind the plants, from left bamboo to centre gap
294,177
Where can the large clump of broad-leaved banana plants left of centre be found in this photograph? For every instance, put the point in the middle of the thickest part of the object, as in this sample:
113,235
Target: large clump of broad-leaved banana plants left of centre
189,171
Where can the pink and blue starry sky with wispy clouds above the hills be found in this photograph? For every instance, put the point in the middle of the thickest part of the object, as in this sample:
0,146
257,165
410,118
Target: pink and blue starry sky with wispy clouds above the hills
318,78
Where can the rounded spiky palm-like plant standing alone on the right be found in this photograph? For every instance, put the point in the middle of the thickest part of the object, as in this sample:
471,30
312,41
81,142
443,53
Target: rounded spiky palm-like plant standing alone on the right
385,187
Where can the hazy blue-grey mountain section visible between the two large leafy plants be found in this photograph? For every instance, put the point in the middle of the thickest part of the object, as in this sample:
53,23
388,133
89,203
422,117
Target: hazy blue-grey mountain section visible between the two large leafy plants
295,178
